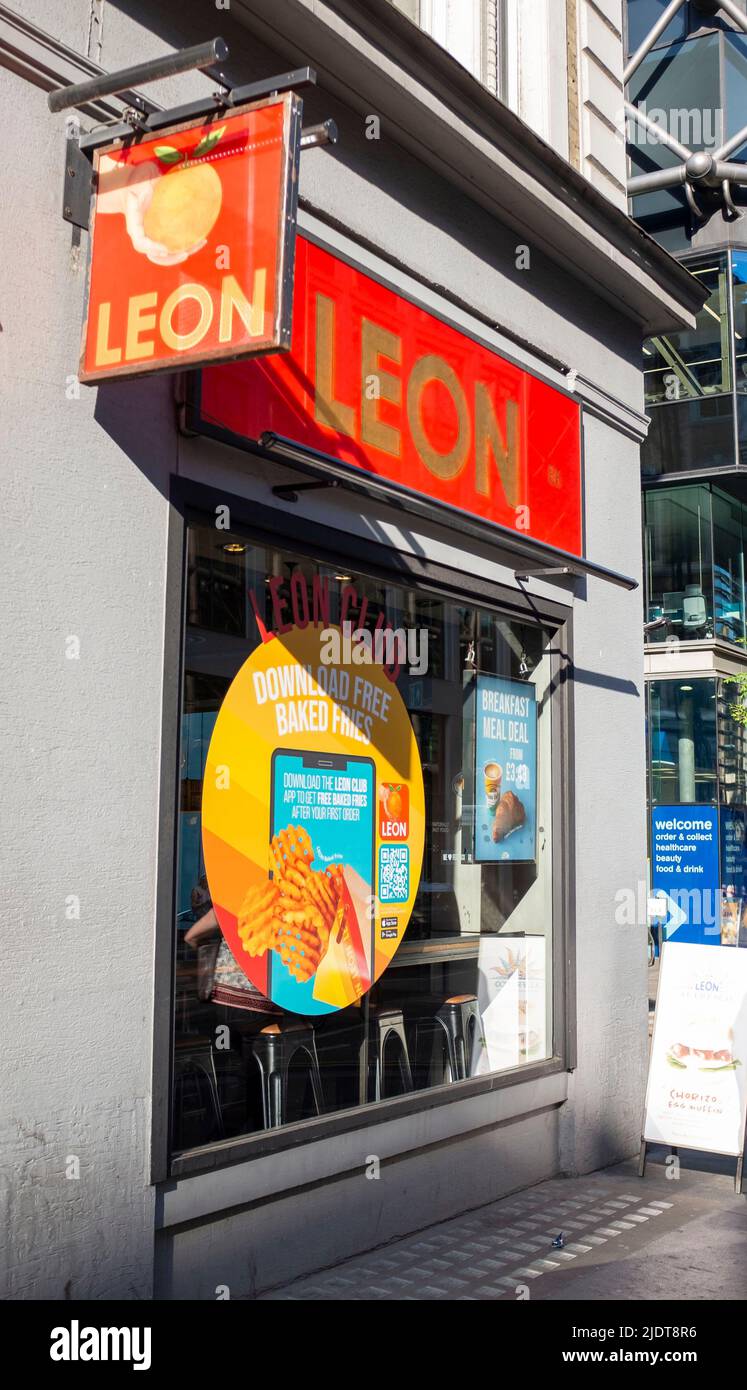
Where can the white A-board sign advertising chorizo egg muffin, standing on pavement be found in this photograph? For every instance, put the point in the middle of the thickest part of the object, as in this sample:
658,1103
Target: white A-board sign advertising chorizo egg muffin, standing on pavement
698,1089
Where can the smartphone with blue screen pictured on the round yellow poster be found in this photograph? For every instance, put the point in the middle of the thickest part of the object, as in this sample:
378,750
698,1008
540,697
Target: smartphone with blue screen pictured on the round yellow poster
333,799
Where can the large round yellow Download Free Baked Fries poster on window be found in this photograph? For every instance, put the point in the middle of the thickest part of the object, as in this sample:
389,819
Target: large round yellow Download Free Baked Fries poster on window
314,819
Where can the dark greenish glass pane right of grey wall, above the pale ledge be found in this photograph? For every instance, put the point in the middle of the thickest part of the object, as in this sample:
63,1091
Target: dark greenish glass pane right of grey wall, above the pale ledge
678,562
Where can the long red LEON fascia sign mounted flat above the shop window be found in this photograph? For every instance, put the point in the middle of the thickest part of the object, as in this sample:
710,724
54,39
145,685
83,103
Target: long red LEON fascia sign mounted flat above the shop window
387,389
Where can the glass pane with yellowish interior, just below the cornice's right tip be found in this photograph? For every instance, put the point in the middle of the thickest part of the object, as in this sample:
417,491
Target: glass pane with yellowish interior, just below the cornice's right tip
696,362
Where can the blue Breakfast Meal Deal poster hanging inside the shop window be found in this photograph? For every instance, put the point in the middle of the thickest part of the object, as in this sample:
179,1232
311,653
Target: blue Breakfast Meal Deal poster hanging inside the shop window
506,771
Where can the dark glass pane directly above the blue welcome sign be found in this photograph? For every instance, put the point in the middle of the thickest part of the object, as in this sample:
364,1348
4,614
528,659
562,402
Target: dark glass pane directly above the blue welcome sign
682,718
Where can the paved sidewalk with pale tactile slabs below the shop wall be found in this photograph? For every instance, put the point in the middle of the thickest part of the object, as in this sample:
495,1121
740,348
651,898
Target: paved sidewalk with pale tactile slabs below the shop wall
625,1238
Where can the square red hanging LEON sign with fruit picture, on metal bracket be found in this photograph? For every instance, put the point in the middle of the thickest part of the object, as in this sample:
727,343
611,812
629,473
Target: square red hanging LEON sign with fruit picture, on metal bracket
193,238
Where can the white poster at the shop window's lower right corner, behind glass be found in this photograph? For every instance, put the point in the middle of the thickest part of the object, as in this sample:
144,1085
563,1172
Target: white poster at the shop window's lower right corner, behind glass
511,997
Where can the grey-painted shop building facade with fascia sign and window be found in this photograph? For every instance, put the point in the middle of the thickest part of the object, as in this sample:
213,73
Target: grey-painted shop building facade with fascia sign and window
506,1042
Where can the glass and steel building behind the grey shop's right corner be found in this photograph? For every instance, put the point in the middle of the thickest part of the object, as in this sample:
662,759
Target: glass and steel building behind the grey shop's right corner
691,90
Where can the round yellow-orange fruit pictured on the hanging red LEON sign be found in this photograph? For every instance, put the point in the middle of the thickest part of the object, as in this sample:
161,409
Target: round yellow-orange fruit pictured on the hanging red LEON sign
184,208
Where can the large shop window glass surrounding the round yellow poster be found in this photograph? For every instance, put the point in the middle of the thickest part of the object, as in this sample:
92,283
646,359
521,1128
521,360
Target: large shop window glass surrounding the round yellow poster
469,990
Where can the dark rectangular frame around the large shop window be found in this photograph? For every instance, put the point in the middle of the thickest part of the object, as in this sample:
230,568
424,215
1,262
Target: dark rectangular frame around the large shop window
269,526
